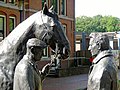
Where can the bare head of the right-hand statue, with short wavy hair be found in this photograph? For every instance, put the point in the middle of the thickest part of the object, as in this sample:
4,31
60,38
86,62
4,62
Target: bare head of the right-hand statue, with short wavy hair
98,42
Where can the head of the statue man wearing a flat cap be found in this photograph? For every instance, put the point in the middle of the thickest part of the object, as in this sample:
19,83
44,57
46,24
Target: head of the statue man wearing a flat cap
35,48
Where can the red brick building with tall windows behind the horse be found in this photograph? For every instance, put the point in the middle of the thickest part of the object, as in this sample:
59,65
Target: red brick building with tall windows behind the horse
12,12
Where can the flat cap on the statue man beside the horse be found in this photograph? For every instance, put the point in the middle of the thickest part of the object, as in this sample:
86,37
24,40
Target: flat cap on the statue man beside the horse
34,42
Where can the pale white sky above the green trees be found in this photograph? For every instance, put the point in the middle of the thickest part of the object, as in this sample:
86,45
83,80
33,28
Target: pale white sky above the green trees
97,7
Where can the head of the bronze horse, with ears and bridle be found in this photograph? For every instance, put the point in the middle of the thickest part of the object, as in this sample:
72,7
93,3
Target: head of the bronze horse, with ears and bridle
52,32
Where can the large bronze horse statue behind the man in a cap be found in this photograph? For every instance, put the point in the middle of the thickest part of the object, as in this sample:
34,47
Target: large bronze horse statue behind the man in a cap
43,25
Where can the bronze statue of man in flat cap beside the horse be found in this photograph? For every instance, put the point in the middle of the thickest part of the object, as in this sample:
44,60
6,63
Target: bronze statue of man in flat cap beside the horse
27,76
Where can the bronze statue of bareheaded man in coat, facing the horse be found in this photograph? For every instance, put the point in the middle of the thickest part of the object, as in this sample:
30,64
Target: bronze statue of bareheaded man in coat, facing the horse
103,72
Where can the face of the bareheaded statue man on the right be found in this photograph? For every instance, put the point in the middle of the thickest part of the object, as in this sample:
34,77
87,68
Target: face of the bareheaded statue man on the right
93,47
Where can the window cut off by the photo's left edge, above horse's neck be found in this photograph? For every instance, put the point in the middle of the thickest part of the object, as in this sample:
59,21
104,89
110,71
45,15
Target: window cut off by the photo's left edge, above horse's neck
2,26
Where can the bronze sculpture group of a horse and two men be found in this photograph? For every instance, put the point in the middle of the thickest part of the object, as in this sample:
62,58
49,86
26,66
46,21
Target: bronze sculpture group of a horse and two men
23,47
